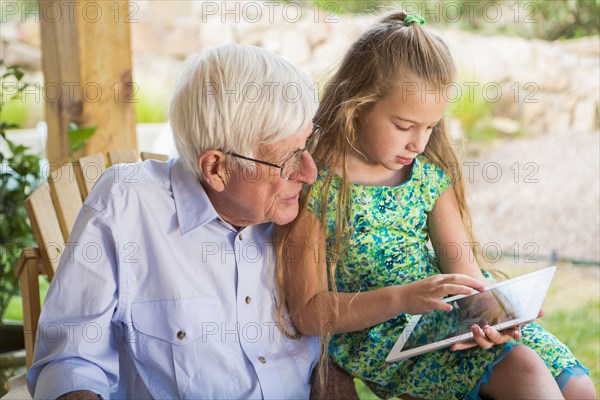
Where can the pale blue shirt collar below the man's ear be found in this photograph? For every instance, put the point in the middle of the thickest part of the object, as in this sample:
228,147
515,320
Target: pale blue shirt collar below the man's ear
192,204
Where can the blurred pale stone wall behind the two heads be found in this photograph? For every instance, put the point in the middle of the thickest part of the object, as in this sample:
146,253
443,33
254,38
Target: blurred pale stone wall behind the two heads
533,86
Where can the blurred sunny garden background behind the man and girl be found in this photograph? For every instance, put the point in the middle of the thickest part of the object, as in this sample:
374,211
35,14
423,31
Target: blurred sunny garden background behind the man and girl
524,115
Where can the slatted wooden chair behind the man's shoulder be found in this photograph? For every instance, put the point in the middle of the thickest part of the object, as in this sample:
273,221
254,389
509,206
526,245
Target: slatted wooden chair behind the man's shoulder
52,209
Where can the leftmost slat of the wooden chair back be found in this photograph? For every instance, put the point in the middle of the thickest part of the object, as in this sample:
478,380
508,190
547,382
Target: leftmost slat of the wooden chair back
45,226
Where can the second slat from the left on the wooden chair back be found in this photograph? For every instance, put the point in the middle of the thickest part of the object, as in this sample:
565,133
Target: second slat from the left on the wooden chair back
66,197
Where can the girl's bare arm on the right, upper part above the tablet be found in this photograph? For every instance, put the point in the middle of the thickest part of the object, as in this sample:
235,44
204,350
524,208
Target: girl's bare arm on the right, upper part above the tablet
449,238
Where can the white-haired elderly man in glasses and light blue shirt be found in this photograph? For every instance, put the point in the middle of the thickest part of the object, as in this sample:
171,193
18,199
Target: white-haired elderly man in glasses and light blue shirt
167,286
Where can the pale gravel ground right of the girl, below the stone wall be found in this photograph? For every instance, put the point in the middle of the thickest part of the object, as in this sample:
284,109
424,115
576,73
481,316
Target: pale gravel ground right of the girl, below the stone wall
536,197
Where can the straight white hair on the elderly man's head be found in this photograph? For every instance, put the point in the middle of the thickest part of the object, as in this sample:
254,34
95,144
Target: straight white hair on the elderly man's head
234,98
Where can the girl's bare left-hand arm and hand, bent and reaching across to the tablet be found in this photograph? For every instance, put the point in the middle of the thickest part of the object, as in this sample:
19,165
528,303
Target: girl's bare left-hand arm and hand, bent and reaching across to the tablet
309,299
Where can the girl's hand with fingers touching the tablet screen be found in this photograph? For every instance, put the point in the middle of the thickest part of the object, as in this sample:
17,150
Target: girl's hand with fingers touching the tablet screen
424,296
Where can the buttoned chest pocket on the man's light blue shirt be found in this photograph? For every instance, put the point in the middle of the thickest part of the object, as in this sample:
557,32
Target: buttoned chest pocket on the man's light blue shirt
170,336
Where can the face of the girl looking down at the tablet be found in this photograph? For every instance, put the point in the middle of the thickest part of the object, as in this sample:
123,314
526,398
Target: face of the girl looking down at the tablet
397,128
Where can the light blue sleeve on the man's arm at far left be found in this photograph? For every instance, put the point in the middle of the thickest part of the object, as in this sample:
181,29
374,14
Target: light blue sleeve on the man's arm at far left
76,345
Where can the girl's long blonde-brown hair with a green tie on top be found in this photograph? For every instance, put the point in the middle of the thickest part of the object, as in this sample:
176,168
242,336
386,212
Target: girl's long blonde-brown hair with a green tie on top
371,70
